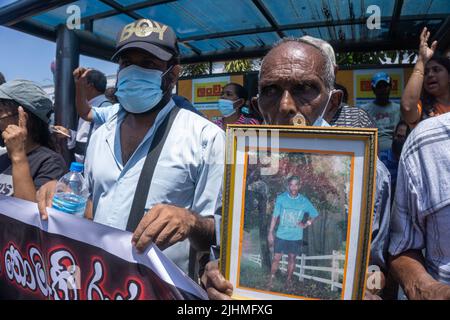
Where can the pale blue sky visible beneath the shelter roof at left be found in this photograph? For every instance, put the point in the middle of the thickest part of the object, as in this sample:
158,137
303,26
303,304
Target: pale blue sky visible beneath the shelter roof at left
27,57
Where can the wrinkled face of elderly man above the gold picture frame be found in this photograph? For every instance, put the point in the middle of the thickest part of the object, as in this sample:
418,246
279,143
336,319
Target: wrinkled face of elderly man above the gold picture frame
291,83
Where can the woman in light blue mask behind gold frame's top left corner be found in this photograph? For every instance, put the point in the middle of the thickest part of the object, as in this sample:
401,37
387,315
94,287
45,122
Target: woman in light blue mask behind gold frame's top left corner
230,105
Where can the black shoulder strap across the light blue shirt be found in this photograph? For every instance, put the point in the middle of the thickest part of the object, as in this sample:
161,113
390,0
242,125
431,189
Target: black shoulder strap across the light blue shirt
145,178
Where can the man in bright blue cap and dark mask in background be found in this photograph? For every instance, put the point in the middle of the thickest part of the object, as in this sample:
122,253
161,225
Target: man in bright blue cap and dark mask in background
384,112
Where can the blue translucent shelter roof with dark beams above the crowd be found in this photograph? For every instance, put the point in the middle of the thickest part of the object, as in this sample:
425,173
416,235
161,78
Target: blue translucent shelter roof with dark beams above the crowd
212,30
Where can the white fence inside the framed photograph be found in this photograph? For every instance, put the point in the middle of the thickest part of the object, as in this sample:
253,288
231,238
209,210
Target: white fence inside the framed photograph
301,267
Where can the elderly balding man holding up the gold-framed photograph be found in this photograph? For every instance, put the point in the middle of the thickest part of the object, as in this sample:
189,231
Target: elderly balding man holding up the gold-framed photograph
296,85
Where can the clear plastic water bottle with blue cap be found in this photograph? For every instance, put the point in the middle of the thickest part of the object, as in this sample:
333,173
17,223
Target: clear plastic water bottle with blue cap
71,191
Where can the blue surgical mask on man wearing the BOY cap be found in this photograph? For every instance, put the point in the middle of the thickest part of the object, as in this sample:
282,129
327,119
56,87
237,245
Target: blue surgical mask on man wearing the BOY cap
139,89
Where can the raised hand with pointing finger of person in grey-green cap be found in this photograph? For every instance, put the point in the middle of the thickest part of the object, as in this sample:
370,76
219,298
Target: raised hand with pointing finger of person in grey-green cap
15,137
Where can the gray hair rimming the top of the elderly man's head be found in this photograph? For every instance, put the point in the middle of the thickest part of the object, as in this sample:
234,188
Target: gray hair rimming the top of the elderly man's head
325,49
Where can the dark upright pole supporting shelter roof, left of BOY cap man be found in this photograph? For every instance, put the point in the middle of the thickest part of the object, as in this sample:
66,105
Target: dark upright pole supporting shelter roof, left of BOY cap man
67,60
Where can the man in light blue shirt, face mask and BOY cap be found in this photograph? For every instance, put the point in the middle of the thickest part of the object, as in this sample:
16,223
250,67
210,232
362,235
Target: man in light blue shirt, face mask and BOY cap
185,189
